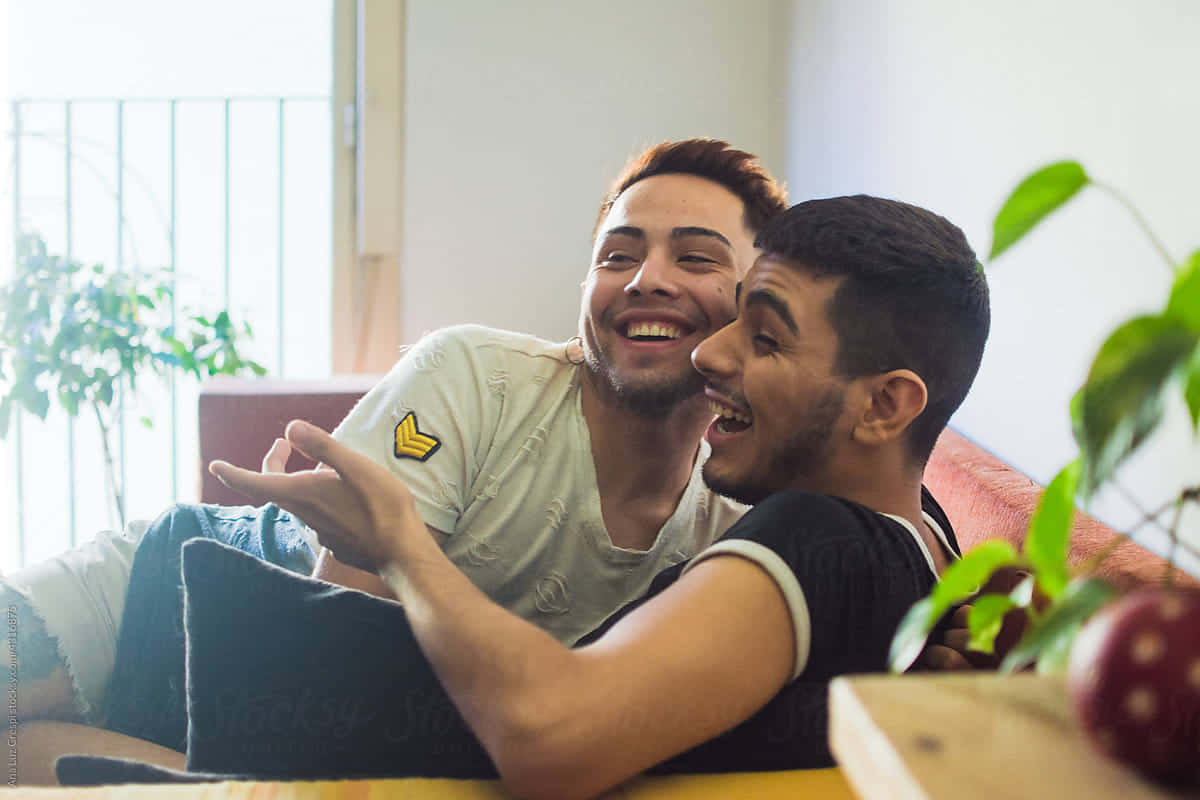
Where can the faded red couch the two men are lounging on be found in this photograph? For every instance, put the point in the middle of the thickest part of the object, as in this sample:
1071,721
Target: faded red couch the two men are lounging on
983,497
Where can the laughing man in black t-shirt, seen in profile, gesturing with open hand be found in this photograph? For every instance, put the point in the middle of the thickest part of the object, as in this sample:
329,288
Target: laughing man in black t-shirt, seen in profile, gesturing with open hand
860,332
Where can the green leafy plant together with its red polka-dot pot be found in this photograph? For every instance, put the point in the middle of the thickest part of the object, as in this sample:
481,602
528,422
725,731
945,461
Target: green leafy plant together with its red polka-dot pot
1113,414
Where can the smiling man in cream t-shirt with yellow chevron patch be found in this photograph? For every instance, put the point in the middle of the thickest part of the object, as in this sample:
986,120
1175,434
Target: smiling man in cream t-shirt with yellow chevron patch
560,477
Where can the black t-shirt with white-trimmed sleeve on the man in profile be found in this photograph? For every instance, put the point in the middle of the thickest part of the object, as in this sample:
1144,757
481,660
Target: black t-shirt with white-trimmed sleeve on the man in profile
860,573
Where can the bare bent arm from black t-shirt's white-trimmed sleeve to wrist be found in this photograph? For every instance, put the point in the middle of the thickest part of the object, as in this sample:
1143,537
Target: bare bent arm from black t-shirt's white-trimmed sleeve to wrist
561,723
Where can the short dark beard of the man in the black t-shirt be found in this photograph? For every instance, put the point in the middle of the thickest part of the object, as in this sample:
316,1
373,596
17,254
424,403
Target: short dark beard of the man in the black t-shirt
789,464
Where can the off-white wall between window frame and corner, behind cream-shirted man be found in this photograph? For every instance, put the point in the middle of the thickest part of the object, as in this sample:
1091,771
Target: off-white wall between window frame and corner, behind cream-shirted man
519,117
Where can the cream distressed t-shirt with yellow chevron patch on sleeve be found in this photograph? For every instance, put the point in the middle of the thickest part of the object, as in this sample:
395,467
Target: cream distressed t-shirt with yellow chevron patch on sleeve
487,429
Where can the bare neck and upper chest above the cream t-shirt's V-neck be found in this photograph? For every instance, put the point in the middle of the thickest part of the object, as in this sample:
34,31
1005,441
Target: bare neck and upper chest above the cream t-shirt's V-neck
643,458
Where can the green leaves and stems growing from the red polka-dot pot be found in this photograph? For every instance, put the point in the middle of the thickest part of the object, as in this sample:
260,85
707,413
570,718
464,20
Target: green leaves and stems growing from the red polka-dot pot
1113,414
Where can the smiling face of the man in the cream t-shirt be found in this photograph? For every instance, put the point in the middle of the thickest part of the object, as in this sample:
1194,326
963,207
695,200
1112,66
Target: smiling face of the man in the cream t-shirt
649,240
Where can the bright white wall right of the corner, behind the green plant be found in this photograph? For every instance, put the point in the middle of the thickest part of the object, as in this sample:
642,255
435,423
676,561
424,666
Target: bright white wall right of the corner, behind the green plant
949,105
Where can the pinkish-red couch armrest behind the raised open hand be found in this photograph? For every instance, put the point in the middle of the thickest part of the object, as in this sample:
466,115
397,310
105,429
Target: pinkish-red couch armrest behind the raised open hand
239,419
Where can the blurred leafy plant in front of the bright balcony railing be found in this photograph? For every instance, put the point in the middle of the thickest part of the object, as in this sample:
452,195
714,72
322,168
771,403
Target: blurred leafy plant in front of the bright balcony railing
79,336
